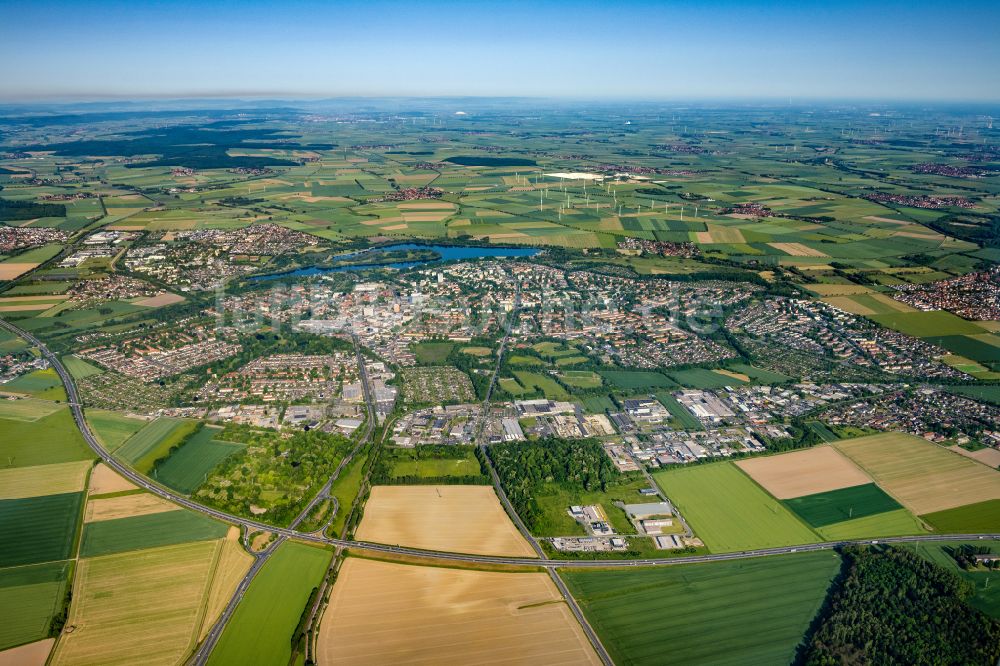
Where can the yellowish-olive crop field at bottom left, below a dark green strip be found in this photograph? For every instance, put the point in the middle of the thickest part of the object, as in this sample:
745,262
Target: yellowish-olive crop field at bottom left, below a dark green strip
141,607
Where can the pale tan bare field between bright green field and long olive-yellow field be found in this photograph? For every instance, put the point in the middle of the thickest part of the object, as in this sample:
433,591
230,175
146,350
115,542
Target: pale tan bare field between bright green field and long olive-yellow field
816,470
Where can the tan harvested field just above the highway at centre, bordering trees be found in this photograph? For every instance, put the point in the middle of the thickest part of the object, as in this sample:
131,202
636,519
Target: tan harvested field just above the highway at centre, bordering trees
461,519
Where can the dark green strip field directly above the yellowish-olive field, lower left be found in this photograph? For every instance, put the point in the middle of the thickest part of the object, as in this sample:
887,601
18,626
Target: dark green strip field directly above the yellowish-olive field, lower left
149,531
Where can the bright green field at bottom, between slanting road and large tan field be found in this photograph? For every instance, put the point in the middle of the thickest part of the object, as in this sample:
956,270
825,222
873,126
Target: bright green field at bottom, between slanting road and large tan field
260,631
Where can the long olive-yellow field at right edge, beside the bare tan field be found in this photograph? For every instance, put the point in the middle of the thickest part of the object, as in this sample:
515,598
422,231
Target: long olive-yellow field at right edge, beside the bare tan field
922,476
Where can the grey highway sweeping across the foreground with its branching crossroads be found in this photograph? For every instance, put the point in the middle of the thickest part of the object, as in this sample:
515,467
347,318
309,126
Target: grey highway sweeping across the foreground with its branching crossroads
290,533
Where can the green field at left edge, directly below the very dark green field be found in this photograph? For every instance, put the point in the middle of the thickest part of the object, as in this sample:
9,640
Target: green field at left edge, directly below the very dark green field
29,597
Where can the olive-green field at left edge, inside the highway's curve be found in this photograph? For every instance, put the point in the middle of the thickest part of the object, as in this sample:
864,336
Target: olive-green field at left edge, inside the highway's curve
50,439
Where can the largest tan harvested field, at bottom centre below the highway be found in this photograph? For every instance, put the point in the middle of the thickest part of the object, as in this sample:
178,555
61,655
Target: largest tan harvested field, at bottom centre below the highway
382,612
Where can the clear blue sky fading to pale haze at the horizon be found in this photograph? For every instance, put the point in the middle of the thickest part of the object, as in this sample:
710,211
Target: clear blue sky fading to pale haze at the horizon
645,50
